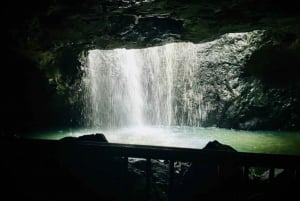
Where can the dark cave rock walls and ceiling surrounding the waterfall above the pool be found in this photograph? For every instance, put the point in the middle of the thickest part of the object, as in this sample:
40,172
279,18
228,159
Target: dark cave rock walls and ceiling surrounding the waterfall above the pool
43,43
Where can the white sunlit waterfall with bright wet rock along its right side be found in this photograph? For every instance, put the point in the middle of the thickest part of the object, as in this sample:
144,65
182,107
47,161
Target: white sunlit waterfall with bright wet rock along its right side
163,85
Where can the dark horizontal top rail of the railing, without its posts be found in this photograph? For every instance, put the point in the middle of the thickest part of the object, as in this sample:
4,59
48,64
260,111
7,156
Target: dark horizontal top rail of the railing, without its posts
164,153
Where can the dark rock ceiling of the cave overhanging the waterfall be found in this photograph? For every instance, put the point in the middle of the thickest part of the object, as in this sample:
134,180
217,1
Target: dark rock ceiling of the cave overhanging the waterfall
107,24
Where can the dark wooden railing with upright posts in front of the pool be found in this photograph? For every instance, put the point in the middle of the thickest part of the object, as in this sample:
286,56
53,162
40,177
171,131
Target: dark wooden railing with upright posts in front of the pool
172,154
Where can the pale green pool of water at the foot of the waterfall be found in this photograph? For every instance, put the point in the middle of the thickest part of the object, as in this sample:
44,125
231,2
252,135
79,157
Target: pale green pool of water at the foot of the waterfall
276,142
